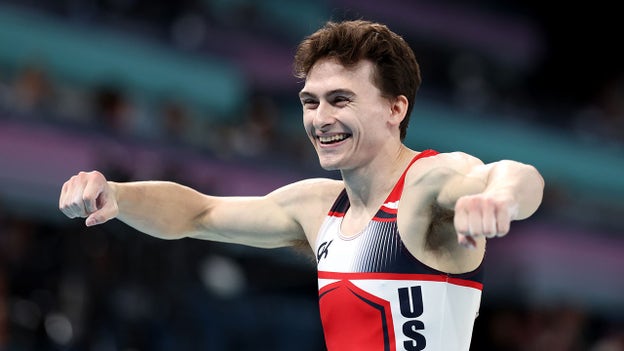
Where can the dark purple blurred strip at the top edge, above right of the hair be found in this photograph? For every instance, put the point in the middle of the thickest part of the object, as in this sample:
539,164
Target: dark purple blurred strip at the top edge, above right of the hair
511,40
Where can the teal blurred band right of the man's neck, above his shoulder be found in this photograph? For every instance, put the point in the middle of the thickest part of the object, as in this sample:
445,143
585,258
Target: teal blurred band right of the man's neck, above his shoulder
583,170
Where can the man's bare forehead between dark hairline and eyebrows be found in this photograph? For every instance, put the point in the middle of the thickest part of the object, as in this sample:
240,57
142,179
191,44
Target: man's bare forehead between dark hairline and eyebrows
329,74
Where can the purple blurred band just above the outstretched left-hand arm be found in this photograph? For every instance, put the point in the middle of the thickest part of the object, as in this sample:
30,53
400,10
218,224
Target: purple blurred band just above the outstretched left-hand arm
36,160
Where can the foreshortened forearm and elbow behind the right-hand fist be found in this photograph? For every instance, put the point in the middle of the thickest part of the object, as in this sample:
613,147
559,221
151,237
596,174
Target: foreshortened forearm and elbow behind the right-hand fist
521,182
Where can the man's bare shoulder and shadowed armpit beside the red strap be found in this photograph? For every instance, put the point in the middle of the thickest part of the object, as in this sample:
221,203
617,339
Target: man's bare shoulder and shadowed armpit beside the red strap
425,216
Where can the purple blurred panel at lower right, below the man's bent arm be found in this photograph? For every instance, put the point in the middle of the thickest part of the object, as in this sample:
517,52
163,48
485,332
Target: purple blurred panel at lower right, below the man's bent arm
556,264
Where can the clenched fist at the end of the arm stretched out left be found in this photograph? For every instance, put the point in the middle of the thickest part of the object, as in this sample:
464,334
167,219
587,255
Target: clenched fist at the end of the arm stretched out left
89,195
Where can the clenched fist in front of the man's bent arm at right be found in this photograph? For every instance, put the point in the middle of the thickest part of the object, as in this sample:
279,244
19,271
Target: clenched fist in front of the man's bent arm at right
483,214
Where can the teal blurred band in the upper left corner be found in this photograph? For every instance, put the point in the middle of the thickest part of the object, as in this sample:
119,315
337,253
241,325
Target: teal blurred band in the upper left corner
93,56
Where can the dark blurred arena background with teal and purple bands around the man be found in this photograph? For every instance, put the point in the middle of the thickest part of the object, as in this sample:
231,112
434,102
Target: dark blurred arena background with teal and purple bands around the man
201,92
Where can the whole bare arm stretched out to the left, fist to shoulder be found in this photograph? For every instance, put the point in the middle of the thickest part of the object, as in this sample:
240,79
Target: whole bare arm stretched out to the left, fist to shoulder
170,211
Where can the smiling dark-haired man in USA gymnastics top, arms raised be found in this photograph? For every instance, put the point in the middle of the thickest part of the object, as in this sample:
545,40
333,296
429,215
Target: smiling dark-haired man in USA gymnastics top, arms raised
399,240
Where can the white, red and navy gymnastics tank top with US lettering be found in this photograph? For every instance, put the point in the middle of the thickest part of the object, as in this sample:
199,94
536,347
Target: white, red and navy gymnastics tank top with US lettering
374,295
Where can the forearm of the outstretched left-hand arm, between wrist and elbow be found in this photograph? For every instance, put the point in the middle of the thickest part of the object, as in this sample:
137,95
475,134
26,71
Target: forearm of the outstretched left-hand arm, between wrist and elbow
162,209
